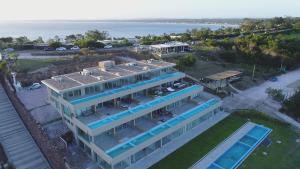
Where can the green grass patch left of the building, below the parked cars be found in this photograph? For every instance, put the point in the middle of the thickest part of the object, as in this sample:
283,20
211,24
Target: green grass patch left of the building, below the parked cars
28,65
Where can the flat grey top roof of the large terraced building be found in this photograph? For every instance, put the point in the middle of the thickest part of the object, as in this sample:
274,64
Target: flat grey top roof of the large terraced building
106,71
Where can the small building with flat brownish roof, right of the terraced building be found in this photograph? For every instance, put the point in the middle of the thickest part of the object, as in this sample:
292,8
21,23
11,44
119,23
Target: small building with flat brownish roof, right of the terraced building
221,80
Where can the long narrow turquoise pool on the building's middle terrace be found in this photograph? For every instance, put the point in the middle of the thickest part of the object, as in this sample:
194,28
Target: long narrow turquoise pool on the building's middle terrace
146,106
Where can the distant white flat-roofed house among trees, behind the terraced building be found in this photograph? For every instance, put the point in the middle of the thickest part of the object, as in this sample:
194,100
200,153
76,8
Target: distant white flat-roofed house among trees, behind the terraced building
170,48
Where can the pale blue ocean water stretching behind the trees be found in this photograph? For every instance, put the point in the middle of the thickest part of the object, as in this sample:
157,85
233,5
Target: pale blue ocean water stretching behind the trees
49,29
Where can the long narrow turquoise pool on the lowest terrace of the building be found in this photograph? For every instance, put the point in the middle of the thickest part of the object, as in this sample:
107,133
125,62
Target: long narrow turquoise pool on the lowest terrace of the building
119,149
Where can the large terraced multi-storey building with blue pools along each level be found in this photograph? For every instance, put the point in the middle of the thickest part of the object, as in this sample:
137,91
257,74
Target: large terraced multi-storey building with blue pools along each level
134,114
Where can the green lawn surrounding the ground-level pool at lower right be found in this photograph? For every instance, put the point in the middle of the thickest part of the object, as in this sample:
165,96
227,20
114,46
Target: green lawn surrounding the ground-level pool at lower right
285,155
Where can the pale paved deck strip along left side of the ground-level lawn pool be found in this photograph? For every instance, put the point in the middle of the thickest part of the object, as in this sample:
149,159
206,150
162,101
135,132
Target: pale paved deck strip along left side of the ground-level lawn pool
218,151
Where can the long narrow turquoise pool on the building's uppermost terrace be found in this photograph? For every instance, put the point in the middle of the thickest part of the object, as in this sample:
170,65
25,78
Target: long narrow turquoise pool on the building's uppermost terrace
125,88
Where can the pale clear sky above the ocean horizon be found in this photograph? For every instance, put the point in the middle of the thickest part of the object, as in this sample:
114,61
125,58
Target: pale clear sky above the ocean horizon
142,9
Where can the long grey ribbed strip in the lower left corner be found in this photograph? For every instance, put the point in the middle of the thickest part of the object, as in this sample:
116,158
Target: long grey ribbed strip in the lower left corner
16,140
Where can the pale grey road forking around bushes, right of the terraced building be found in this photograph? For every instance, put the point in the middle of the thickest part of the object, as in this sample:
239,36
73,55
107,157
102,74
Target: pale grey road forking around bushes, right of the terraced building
257,98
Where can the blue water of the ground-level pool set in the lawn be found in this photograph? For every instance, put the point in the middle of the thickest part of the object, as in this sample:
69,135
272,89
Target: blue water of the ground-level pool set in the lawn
233,157
